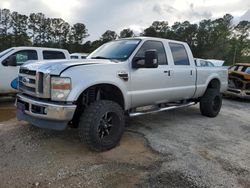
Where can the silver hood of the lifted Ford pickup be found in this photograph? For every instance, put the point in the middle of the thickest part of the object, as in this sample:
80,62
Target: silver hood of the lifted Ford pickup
56,67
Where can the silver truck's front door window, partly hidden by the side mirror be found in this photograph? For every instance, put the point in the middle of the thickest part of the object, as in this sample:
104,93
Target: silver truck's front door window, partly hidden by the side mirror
153,45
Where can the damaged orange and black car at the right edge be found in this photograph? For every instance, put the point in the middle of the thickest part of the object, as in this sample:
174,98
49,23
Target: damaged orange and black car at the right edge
239,80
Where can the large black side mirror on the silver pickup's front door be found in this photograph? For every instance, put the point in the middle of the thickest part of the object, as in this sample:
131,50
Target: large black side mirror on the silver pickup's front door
149,61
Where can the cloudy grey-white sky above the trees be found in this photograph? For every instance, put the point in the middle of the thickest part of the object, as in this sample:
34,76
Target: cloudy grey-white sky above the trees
102,15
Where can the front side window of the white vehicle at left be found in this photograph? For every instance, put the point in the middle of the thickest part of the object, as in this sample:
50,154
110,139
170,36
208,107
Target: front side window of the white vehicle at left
25,55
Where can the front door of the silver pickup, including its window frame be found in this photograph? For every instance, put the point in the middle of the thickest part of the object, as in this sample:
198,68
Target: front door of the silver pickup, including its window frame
150,85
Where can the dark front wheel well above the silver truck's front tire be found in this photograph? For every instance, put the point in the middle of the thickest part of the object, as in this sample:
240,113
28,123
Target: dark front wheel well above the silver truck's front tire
94,93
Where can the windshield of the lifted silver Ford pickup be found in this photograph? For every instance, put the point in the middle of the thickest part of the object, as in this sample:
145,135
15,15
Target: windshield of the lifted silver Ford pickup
118,50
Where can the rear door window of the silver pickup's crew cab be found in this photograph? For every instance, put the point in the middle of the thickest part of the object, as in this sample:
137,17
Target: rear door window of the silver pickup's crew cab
179,54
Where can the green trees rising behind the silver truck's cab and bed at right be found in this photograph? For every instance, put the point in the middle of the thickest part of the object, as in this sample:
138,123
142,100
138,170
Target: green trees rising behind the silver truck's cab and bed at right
211,39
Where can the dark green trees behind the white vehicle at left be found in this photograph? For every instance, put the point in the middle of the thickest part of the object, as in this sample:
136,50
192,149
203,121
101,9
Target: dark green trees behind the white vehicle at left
37,30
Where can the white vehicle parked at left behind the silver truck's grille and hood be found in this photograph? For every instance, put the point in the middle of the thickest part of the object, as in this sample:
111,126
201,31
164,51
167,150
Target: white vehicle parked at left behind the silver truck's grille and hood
12,58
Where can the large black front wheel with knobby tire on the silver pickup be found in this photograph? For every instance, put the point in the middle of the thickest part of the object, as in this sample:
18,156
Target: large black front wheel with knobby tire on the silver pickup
101,125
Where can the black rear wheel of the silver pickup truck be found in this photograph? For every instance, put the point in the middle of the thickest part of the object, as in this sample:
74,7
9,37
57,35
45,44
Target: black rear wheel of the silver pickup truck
210,103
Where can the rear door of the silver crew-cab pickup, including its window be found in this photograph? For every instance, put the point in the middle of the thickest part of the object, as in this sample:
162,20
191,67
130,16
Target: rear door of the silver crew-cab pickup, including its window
183,73
